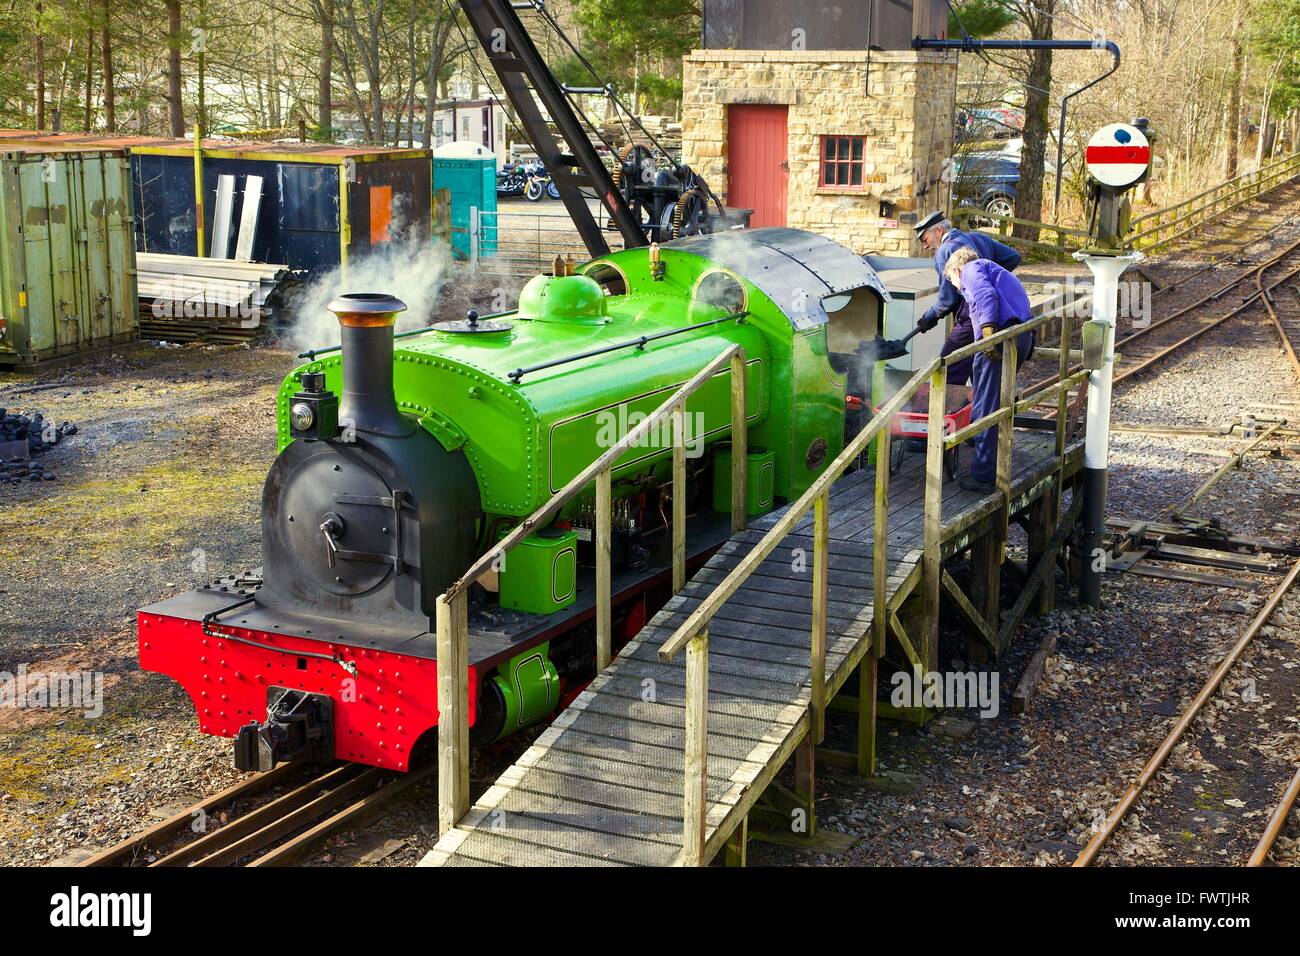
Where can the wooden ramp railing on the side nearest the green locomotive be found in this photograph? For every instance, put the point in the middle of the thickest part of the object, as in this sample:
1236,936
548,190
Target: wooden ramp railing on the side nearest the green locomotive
453,625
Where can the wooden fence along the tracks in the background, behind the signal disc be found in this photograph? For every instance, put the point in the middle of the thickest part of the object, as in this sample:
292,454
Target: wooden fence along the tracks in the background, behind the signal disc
1152,231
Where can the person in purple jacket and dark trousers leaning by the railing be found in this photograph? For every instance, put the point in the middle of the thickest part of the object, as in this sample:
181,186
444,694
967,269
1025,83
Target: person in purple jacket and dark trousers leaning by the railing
995,300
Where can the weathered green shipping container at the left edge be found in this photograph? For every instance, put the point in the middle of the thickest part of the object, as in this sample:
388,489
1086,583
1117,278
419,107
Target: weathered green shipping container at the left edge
67,253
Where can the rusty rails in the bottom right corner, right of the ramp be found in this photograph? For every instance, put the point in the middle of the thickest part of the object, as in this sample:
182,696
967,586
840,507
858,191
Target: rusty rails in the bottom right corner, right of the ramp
1108,828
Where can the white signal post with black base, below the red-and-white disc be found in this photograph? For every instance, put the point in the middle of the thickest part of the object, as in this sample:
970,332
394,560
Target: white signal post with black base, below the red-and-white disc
1097,449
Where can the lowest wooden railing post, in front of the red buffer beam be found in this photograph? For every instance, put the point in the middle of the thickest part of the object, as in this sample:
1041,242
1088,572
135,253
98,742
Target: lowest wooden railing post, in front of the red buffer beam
453,626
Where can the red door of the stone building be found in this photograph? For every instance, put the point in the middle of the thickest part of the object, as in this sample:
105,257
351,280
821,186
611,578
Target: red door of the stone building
759,165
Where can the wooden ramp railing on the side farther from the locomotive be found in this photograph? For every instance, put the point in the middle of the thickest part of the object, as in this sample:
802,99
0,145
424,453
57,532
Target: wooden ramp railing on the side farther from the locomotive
694,634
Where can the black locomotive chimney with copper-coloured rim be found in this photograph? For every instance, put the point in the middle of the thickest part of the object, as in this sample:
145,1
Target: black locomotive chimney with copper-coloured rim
366,323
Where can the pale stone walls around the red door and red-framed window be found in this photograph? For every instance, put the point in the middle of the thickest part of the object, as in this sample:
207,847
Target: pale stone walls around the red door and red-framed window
905,114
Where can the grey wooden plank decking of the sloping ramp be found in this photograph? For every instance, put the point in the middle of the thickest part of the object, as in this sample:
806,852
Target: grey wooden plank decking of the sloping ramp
604,784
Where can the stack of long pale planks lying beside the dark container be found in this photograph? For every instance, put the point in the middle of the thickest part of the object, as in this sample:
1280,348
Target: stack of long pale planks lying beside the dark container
192,299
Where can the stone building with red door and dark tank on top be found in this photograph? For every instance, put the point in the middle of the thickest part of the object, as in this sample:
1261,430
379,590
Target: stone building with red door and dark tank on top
838,136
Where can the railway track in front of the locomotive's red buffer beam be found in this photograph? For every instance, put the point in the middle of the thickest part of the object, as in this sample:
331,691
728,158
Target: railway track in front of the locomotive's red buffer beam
276,819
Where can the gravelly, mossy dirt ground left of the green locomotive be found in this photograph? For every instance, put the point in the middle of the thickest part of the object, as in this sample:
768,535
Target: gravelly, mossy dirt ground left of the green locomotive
159,491
